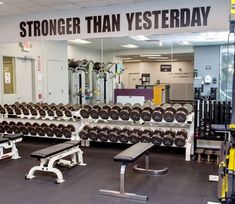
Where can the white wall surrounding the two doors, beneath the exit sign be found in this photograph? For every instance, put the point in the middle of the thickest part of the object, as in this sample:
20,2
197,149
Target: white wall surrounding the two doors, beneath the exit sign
41,52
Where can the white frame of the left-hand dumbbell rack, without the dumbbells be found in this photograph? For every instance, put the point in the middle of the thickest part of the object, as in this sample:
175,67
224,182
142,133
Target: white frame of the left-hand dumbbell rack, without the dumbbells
74,120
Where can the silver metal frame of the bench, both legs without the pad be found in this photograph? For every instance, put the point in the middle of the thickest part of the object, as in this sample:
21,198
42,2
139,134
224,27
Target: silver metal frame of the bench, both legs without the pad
121,193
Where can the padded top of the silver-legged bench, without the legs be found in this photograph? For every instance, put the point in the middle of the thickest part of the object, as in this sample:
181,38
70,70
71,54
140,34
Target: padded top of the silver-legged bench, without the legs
133,152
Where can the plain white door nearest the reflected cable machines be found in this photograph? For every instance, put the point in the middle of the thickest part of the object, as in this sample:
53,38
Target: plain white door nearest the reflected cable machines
54,81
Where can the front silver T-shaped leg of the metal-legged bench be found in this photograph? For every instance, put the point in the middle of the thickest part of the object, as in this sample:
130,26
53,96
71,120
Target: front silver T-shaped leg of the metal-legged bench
122,193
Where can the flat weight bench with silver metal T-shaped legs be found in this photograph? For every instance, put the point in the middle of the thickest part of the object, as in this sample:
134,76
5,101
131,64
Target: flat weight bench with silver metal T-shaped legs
128,156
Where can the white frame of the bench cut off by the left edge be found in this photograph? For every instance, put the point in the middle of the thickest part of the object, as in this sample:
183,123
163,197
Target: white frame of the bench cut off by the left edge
14,153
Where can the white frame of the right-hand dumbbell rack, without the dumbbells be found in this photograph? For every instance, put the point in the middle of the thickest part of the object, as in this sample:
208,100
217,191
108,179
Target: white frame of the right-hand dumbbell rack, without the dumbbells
188,126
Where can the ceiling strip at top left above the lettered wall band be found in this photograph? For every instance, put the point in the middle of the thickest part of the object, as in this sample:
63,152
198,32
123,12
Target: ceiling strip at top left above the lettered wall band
16,7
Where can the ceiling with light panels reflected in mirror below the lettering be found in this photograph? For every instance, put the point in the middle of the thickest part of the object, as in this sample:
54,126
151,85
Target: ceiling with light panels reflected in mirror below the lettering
159,41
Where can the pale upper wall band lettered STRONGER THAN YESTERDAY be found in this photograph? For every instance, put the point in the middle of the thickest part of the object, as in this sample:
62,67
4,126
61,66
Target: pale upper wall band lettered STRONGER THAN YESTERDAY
158,17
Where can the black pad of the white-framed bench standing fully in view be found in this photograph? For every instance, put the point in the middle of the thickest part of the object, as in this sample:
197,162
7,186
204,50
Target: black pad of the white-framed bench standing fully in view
48,151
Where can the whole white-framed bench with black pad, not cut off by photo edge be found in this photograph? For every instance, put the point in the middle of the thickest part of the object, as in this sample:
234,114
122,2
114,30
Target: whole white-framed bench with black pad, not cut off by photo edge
53,155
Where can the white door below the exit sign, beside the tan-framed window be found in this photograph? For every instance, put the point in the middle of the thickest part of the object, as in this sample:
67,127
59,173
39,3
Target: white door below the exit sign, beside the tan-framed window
24,80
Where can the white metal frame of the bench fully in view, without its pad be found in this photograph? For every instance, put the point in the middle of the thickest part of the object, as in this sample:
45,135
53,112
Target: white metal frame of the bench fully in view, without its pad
48,164
